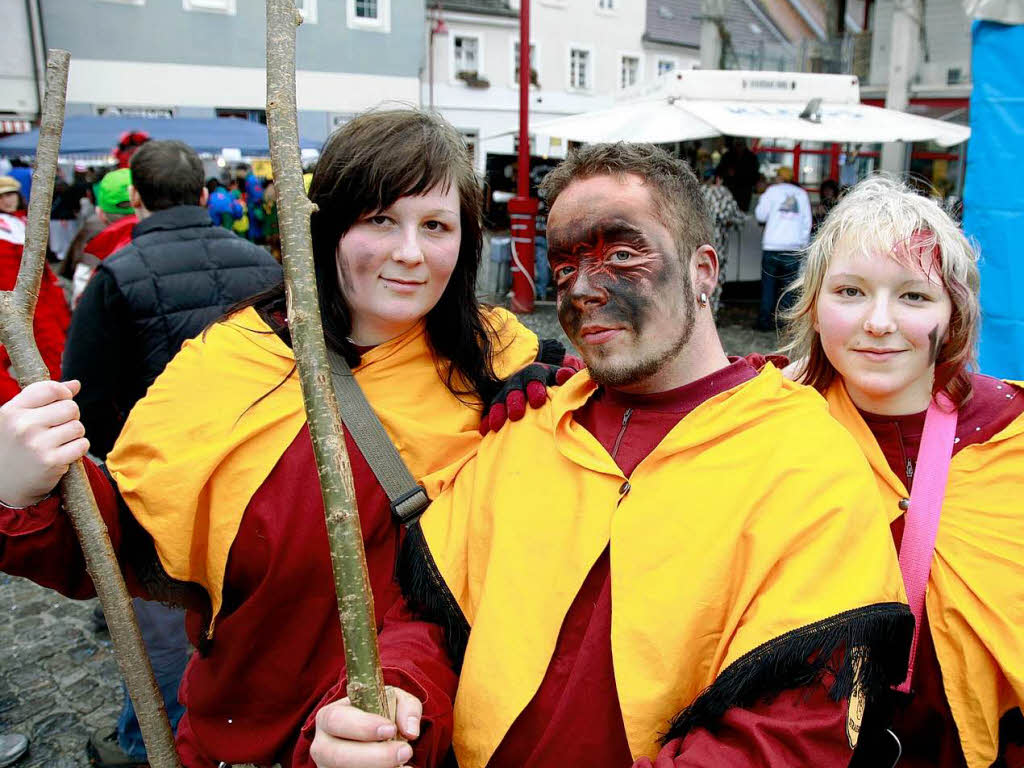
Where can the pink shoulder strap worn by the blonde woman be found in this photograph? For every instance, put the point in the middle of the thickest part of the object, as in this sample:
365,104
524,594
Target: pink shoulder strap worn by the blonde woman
926,507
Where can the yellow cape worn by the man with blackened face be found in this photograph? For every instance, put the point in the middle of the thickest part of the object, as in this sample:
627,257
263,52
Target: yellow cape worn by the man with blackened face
756,517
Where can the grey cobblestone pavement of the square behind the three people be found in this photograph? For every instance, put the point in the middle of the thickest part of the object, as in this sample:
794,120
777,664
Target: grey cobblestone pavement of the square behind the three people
59,677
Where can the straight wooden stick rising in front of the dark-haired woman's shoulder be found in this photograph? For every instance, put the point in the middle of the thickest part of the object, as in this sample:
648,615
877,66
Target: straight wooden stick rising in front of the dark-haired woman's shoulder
356,606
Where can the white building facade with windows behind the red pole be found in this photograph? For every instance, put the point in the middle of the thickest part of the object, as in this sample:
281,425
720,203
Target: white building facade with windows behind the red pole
583,54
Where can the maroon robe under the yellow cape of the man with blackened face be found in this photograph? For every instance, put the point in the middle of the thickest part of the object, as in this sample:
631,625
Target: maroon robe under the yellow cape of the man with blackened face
575,719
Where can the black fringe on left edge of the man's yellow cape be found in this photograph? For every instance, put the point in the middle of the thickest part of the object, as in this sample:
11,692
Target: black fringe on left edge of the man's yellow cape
428,593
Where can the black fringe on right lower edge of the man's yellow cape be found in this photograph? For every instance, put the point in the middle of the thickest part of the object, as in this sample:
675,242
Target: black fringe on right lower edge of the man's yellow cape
801,658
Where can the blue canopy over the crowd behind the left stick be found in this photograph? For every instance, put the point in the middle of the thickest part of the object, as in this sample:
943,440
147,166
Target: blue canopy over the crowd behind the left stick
97,136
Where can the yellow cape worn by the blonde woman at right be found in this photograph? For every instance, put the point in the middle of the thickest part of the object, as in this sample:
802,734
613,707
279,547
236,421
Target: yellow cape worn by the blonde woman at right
975,600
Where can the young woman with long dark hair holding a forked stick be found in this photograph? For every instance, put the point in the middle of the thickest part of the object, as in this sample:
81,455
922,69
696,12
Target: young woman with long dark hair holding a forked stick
212,496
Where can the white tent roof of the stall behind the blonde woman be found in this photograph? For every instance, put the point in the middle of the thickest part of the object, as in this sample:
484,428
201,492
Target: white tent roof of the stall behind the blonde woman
696,104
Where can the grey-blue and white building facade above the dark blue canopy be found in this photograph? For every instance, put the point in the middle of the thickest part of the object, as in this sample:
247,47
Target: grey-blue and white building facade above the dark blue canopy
207,58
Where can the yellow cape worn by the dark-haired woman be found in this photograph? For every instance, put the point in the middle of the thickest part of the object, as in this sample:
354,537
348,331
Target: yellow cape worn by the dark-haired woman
210,430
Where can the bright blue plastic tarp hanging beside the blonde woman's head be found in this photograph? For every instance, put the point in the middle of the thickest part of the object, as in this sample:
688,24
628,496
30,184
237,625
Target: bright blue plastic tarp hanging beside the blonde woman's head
994,196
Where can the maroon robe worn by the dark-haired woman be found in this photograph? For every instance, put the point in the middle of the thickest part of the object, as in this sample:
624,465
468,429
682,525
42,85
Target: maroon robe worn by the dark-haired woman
277,655
